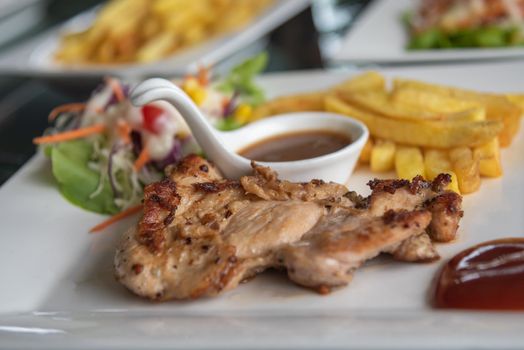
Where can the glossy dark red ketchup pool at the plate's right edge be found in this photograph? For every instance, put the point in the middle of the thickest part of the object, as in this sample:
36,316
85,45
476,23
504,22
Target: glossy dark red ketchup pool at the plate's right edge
489,276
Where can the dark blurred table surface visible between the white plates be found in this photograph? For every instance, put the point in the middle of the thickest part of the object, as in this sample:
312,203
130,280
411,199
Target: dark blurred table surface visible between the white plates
300,43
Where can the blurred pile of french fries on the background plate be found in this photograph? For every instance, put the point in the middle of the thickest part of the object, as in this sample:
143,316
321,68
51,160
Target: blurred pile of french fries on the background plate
148,30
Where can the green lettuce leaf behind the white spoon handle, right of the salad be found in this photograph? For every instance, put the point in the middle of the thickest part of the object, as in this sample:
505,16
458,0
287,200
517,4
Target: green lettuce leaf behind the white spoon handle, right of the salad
241,80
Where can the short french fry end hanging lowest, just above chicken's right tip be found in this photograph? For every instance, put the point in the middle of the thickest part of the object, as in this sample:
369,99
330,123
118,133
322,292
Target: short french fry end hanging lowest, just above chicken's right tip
466,166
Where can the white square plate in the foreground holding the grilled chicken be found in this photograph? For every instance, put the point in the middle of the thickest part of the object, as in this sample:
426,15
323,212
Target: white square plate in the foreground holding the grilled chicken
58,289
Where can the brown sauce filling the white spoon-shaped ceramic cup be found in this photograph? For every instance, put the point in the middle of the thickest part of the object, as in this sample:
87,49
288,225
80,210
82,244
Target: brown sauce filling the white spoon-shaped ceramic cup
296,146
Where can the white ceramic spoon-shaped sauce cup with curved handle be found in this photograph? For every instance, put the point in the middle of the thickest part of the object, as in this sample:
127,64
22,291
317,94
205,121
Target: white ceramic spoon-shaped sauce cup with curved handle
222,147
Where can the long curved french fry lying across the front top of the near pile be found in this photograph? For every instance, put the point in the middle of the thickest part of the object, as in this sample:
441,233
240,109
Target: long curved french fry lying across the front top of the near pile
426,134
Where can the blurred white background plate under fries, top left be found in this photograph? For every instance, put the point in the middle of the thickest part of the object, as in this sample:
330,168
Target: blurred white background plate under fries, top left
35,57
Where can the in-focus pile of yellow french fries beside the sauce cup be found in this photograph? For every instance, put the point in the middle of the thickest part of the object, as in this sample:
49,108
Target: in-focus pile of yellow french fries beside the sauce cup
419,128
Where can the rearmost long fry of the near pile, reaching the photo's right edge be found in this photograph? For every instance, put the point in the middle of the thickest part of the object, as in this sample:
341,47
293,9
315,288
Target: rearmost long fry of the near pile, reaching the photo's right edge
498,107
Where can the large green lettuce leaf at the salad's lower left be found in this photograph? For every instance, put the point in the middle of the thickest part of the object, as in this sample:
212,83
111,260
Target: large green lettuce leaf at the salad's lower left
76,181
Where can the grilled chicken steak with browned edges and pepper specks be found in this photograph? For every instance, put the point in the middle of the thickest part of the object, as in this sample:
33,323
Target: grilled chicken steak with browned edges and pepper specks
201,234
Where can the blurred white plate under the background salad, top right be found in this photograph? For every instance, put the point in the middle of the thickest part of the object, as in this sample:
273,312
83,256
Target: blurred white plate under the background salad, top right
379,36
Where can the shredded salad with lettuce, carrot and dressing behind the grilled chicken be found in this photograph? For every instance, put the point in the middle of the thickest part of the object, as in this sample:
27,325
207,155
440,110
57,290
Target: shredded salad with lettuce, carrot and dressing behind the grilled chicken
104,151
